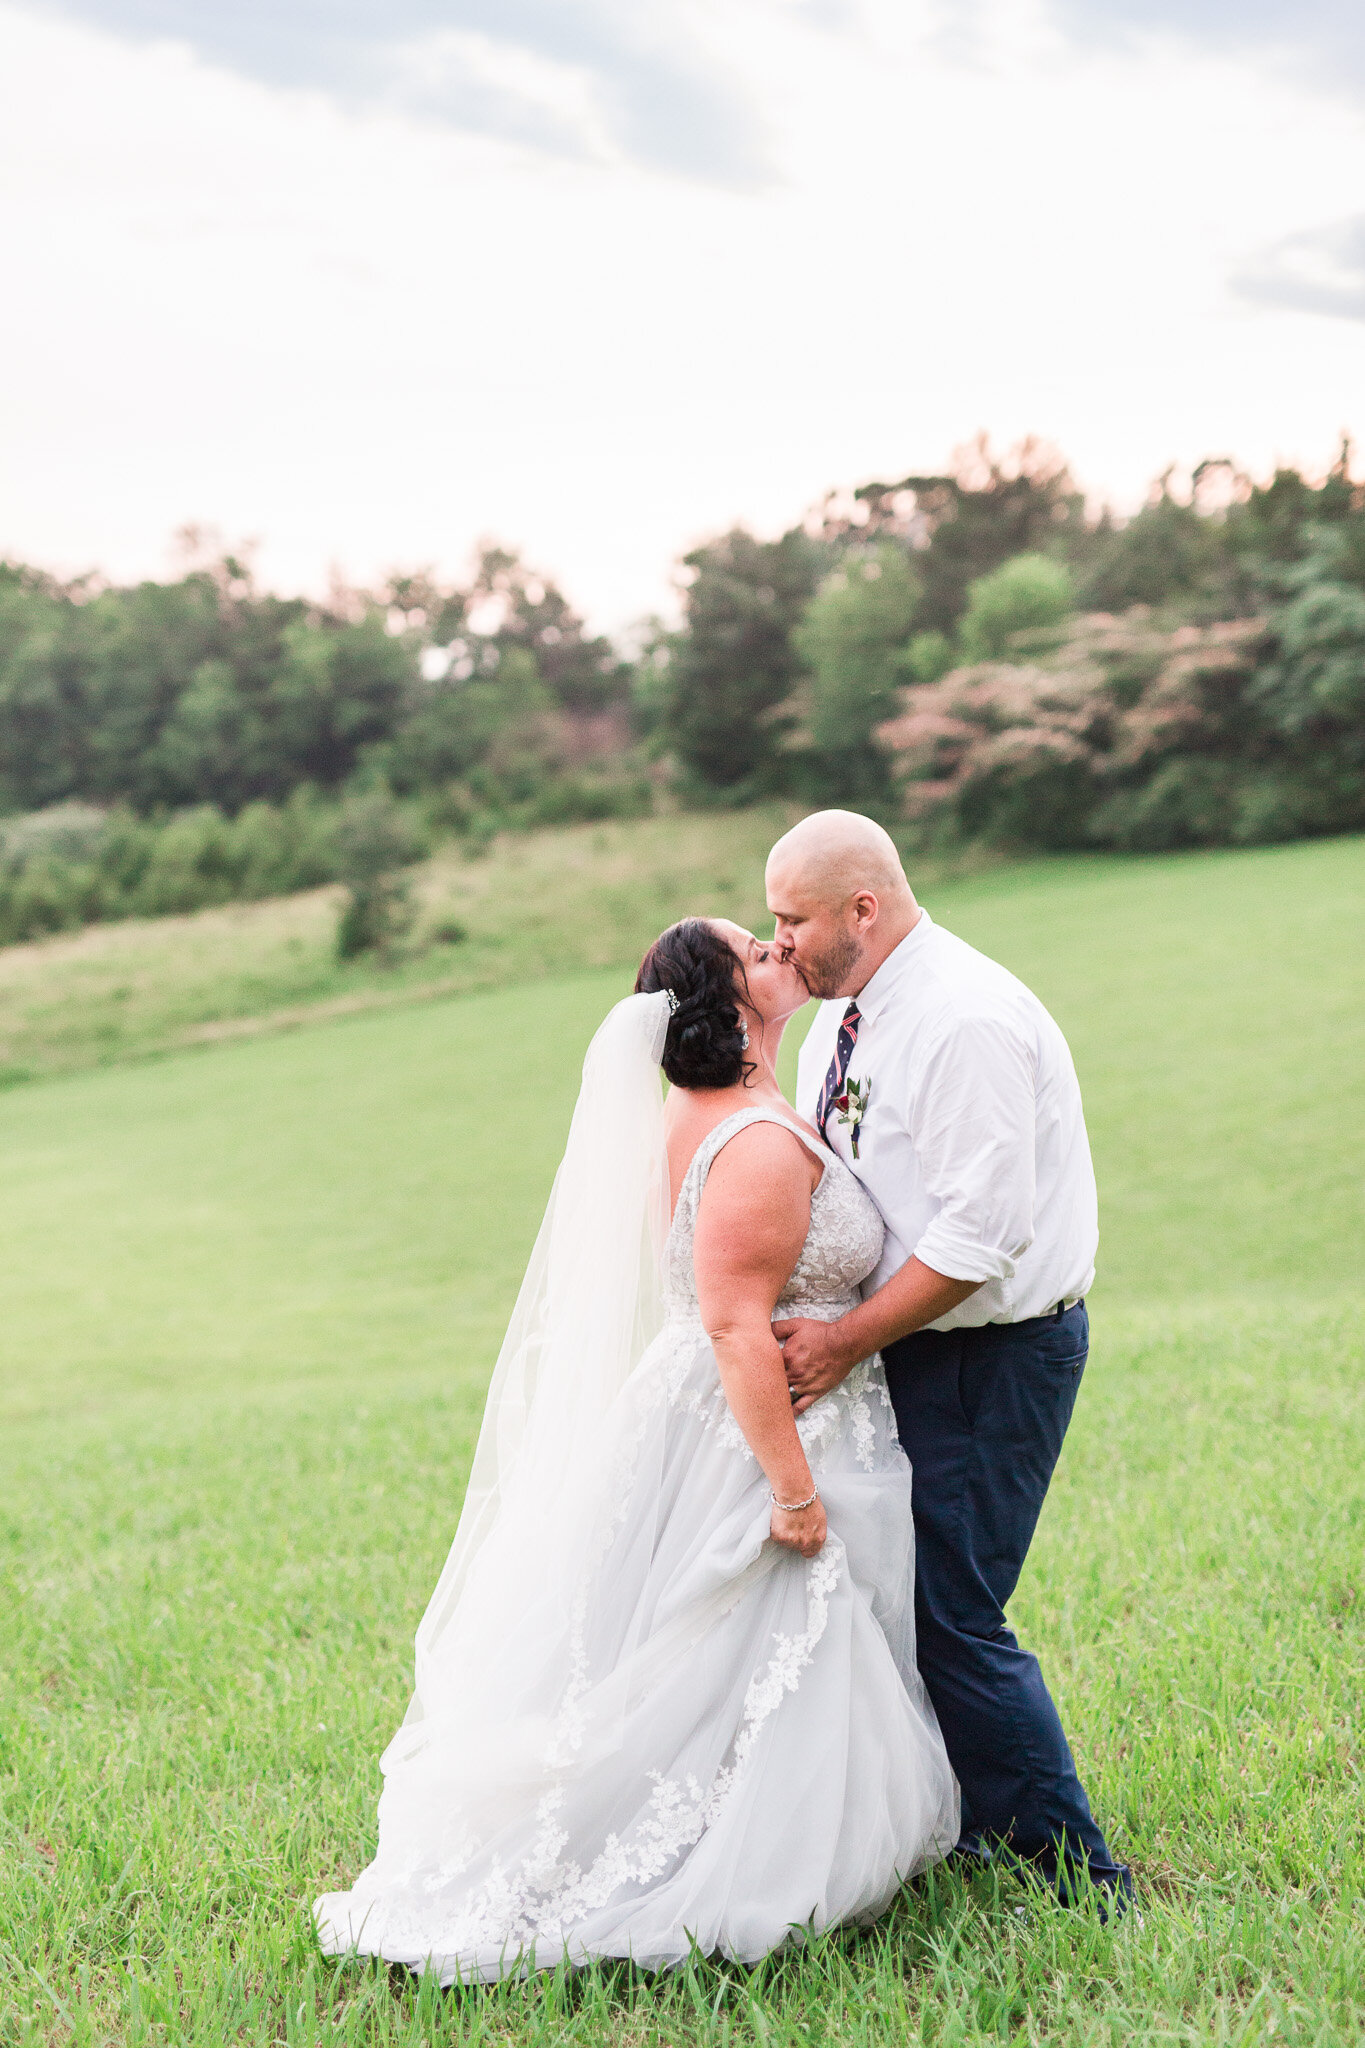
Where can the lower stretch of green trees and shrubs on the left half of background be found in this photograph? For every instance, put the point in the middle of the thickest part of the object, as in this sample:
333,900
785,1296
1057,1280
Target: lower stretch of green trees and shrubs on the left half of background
179,744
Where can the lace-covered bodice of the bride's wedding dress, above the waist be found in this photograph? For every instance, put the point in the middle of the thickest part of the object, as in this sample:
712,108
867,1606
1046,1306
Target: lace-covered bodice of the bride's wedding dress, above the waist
842,1248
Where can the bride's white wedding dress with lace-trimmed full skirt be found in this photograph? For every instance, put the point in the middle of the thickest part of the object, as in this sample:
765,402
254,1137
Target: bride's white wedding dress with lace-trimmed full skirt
670,1732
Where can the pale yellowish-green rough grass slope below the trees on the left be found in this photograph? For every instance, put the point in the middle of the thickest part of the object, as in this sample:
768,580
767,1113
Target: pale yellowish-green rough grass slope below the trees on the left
531,906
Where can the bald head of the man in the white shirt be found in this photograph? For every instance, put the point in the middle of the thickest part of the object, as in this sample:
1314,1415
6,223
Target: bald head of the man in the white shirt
840,900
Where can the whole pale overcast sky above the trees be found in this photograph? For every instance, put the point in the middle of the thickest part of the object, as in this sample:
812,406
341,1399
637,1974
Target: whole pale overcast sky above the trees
367,280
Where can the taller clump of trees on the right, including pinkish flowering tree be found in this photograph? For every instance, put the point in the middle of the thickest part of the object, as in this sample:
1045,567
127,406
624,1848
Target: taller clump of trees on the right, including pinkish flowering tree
977,656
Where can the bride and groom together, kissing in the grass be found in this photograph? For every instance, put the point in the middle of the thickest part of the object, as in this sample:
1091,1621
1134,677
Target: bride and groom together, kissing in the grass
719,1654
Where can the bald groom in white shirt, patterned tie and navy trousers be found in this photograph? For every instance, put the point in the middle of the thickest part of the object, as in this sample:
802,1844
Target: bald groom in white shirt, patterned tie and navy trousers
951,1093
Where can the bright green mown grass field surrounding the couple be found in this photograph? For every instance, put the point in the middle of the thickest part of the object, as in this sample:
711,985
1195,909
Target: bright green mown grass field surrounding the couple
251,1295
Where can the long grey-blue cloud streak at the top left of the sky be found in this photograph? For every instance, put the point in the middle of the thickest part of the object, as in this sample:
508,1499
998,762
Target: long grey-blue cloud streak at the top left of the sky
662,97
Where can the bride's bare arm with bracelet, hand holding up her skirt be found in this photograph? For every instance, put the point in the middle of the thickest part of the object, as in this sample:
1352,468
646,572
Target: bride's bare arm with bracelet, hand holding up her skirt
752,1224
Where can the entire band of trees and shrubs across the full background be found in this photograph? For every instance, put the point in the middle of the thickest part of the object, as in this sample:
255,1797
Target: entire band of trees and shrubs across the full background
971,654
